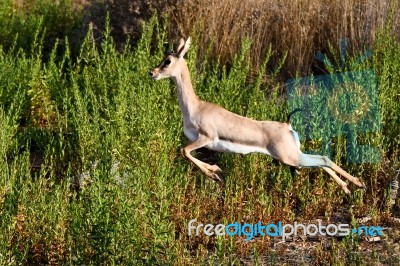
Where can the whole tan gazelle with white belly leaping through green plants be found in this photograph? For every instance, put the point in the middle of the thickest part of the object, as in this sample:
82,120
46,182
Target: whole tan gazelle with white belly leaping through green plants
211,126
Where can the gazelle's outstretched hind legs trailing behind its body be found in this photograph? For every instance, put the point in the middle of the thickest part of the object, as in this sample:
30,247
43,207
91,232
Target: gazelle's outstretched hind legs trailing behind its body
308,160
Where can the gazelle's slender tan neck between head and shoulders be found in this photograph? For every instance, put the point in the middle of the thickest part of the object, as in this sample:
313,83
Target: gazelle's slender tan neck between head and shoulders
188,100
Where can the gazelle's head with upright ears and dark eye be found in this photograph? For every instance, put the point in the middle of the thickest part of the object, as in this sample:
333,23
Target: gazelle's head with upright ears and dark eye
171,65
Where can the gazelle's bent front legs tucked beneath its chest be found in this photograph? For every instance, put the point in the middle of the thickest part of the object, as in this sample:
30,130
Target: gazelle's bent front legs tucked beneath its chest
211,171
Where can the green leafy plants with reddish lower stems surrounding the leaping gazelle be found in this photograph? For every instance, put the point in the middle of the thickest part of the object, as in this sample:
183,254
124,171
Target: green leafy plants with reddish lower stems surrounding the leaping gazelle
113,187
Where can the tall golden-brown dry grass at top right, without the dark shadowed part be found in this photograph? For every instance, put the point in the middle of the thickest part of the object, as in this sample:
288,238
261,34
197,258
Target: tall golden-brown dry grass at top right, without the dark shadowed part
300,28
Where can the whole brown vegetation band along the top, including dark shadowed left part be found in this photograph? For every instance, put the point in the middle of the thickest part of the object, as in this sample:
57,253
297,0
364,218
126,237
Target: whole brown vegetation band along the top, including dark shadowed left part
299,28
